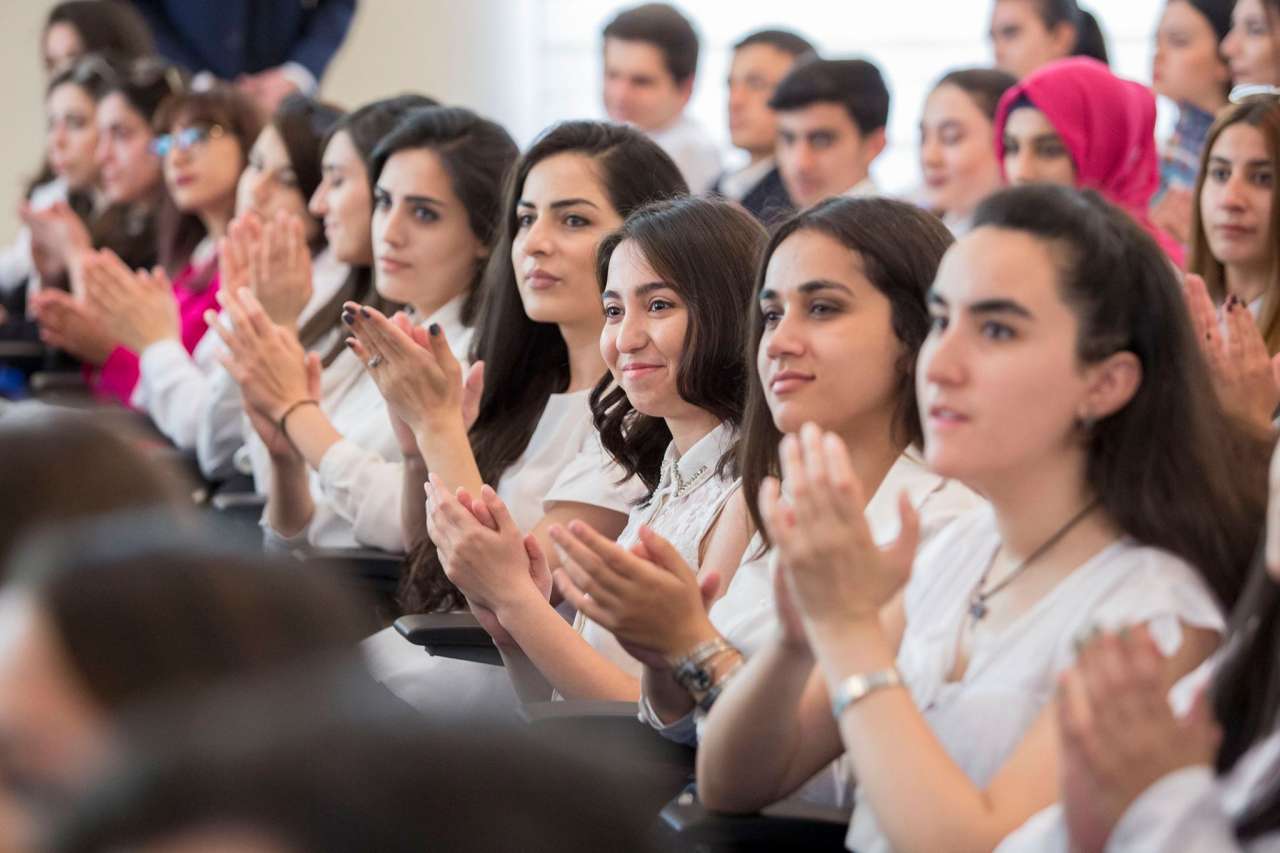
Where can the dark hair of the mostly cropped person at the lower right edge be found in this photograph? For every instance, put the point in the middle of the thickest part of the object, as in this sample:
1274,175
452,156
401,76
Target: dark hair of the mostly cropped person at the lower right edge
1246,692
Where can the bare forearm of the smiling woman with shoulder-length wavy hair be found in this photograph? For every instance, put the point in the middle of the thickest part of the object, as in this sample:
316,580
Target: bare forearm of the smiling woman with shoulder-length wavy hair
577,670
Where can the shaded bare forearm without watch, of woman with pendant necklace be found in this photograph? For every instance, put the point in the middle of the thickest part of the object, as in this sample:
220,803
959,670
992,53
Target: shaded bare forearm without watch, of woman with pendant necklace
749,754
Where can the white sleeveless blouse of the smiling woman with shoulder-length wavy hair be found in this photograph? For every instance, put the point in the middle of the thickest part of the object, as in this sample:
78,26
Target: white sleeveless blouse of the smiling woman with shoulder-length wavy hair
685,507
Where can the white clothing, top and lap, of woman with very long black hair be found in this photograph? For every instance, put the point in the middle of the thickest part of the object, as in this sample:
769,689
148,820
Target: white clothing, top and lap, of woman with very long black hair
564,463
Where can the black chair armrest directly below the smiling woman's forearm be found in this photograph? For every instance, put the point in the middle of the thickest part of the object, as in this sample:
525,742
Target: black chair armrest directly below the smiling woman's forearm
618,726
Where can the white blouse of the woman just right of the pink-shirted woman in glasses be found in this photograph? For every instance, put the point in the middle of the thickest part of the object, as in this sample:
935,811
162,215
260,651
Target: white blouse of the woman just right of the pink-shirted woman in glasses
182,393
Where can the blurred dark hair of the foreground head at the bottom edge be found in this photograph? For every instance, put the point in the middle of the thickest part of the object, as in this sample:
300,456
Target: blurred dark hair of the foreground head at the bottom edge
324,761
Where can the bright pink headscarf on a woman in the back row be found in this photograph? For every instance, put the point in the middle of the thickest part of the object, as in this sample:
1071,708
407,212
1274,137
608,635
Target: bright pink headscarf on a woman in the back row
1109,127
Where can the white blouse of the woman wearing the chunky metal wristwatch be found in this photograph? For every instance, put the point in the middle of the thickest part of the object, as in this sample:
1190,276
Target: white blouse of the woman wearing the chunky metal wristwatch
746,615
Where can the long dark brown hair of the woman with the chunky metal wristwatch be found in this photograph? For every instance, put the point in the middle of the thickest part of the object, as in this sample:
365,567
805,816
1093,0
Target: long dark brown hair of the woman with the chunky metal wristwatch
900,248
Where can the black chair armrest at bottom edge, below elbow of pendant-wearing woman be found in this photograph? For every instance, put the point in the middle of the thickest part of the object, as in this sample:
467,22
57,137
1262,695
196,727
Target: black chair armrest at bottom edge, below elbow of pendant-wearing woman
784,827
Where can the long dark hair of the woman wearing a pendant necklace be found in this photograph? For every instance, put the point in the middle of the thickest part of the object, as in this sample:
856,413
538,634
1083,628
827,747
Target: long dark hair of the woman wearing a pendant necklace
1171,468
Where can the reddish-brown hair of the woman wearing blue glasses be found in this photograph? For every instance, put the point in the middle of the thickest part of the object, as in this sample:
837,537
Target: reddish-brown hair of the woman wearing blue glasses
227,107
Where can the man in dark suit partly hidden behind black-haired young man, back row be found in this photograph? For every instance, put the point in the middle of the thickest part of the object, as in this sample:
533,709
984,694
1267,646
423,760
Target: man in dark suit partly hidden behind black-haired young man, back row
761,61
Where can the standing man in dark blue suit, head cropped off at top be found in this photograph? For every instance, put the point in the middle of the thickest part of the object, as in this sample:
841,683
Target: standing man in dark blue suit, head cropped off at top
269,48
